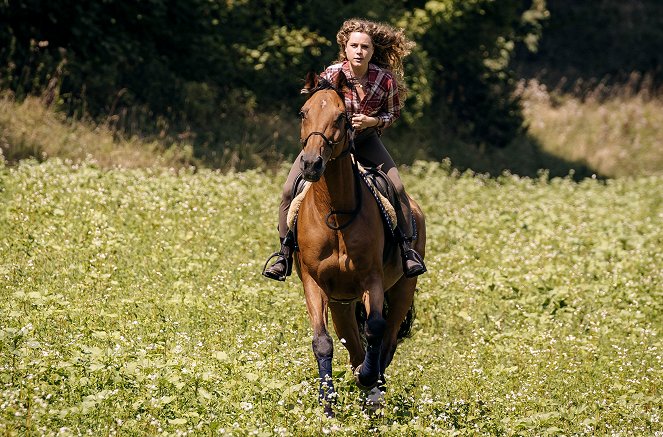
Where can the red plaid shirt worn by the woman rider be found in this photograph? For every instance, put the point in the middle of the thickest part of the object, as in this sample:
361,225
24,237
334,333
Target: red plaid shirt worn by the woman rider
381,99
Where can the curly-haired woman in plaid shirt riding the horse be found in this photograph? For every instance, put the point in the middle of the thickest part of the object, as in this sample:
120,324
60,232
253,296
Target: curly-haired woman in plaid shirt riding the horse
370,58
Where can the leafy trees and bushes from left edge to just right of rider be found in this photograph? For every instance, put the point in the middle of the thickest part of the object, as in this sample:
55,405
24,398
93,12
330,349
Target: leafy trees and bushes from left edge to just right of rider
168,68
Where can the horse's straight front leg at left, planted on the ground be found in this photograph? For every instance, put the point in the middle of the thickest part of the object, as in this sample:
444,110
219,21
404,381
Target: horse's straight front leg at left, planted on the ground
323,347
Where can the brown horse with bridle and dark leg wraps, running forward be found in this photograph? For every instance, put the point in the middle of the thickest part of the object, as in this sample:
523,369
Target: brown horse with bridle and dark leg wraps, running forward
345,256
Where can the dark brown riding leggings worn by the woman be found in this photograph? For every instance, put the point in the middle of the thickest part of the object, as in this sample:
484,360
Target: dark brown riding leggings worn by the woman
369,151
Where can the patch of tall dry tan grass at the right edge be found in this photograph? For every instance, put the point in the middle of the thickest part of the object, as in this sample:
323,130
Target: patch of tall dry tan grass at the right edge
616,130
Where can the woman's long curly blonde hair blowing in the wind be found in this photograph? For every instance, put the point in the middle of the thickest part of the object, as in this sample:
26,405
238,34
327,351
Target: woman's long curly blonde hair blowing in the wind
390,45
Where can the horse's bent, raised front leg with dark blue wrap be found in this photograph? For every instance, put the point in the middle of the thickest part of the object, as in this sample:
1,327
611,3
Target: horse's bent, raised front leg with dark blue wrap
368,373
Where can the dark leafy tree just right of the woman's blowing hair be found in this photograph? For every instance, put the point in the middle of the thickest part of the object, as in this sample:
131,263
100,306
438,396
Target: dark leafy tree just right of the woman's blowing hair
468,45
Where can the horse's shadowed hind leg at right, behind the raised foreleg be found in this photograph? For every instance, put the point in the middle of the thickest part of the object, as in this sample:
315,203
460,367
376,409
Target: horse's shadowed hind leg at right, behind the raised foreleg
401,297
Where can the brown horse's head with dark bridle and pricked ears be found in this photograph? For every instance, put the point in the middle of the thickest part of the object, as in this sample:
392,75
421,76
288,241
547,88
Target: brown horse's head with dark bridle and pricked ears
325,132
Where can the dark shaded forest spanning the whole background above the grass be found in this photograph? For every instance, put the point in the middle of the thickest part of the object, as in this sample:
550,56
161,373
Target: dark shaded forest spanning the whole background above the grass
225,75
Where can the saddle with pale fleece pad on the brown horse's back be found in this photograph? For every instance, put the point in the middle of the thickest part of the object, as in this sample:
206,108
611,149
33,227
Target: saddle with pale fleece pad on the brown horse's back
379,186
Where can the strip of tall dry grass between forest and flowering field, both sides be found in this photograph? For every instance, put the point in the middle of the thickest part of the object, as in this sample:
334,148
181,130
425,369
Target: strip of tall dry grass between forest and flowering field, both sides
610,131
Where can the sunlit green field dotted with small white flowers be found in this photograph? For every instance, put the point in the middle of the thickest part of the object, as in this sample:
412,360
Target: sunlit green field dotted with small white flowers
131,304
